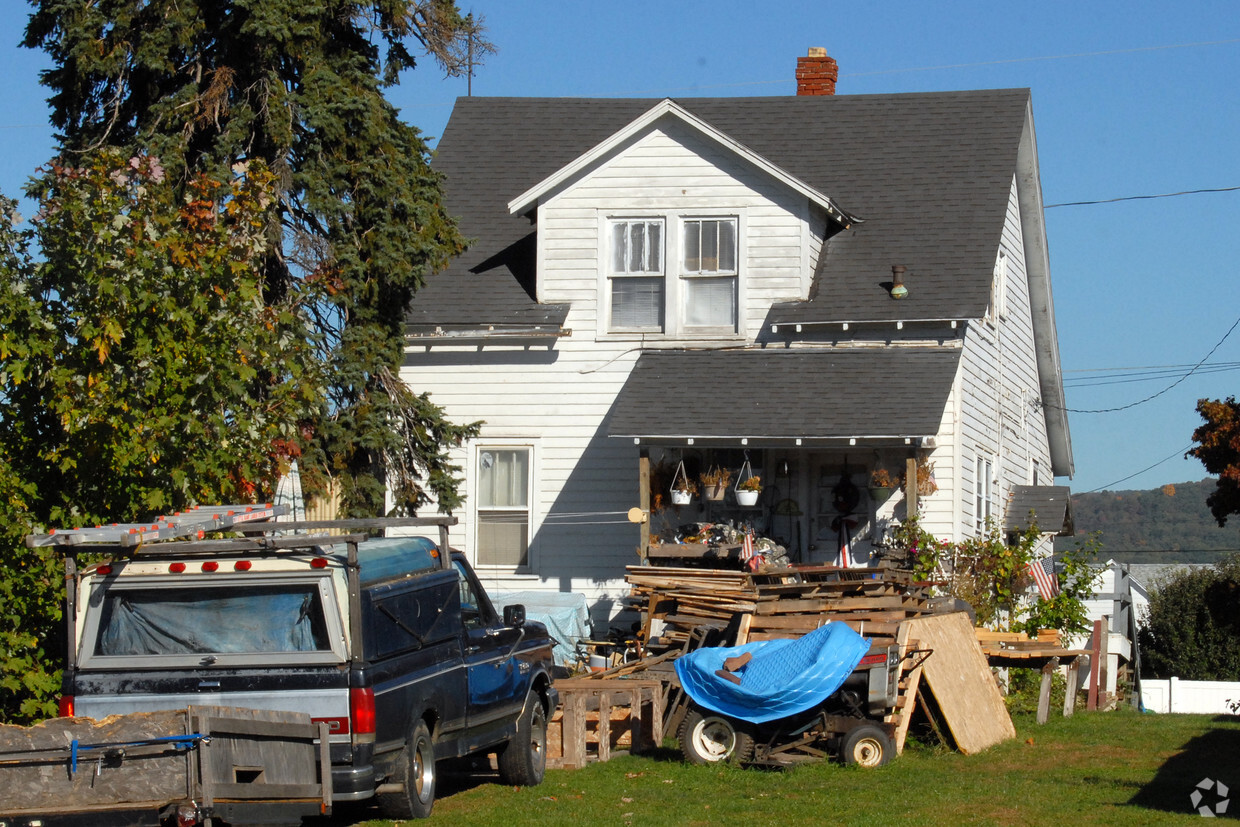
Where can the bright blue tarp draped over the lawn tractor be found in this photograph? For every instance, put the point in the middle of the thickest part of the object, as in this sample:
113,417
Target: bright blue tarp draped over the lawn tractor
783,678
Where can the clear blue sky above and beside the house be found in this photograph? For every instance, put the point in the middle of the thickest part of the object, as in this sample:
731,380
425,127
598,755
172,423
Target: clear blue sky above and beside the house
1133,99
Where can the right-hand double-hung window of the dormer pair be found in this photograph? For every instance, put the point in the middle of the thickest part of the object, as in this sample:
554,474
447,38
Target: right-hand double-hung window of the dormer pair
709,273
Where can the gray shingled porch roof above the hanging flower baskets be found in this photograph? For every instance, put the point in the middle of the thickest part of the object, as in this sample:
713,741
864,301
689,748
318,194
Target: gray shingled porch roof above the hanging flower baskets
787,394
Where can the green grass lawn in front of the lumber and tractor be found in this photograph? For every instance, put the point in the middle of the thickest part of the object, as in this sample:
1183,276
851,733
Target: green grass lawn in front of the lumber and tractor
1119,768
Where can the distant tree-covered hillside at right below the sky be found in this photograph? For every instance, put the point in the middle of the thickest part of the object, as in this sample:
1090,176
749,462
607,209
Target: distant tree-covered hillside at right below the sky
1171,519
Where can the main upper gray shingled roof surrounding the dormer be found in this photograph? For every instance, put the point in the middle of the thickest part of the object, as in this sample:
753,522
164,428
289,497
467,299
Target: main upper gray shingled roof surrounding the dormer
931,174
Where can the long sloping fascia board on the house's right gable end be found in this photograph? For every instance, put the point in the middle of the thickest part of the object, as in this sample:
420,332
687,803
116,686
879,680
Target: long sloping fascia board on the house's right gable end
1037,259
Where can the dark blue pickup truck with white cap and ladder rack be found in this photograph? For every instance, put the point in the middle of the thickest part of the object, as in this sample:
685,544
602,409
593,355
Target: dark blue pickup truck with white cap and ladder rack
391,642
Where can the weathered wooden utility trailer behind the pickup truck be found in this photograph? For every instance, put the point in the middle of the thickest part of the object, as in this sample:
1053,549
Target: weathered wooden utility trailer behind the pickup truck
187,767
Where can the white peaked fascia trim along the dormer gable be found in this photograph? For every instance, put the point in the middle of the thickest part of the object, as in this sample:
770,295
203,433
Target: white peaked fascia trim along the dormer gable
668,107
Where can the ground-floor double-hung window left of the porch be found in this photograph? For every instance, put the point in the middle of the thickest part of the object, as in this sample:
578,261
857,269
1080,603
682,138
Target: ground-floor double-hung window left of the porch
504,506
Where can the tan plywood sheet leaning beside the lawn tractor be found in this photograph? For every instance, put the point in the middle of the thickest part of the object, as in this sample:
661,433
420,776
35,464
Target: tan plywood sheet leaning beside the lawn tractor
962,683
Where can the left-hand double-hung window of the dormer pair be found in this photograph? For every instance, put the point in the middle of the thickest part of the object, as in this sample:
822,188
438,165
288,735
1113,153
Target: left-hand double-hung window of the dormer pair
637,276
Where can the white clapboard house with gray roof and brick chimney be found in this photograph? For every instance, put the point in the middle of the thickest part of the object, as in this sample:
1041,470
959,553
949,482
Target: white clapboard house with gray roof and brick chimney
818,286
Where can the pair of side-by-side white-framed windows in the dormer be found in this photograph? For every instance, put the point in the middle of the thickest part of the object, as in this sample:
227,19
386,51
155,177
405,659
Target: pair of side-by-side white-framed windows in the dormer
674,275
